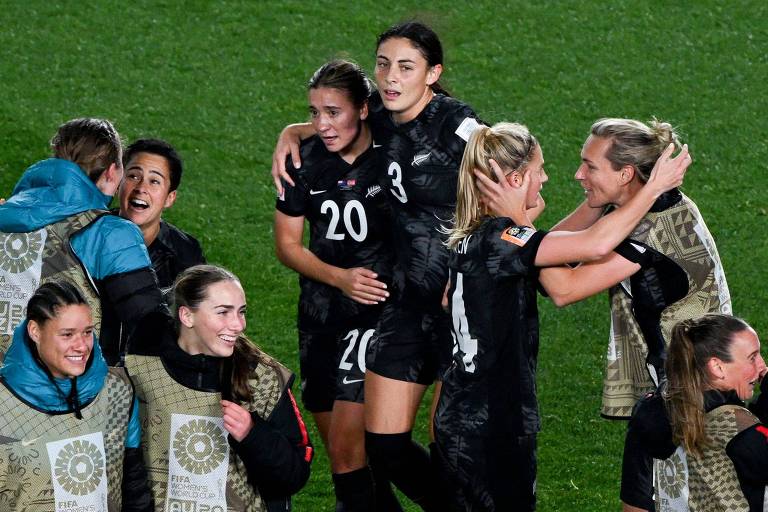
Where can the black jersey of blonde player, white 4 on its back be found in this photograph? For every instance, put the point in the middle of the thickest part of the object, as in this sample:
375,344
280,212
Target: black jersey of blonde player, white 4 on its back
490,388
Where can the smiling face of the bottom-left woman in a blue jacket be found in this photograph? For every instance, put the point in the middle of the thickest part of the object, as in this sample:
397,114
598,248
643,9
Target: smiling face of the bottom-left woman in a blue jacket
65,341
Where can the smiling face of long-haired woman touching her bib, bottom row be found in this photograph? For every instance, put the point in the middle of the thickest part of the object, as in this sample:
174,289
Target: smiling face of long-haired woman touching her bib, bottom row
214,326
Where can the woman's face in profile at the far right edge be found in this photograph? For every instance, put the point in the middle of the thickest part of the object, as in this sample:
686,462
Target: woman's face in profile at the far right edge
746,366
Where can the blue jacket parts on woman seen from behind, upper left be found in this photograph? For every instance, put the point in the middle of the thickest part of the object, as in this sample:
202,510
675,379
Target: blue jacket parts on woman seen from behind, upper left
54,189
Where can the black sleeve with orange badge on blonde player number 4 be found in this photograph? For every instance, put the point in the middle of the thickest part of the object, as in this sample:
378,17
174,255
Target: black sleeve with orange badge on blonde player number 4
511,250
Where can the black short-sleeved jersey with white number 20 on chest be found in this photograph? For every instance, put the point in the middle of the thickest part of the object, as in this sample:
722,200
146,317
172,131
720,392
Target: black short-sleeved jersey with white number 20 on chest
349,223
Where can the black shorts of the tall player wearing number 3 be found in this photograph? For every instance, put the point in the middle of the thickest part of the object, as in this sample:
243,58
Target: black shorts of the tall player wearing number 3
413,345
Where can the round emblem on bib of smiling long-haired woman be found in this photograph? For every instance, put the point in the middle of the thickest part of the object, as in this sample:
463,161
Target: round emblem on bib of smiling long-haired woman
199,446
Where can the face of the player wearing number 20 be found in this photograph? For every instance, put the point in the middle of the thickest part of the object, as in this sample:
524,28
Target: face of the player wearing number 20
335,118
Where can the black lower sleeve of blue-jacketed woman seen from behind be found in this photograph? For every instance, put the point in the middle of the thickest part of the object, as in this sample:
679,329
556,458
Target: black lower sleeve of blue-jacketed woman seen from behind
127,299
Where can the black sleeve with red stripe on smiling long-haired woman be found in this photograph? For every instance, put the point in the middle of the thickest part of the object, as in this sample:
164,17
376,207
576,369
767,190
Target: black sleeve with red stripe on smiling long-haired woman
277,452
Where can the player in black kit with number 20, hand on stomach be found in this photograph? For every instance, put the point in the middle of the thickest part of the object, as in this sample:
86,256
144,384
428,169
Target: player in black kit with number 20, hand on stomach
344,271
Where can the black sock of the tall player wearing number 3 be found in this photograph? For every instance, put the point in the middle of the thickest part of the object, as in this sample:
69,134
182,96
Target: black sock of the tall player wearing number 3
406,464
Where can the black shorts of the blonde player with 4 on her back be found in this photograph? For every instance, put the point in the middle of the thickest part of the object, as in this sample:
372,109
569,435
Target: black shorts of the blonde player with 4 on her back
488,473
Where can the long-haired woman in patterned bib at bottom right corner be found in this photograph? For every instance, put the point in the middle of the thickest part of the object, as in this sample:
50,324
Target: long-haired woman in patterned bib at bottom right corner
721,462
